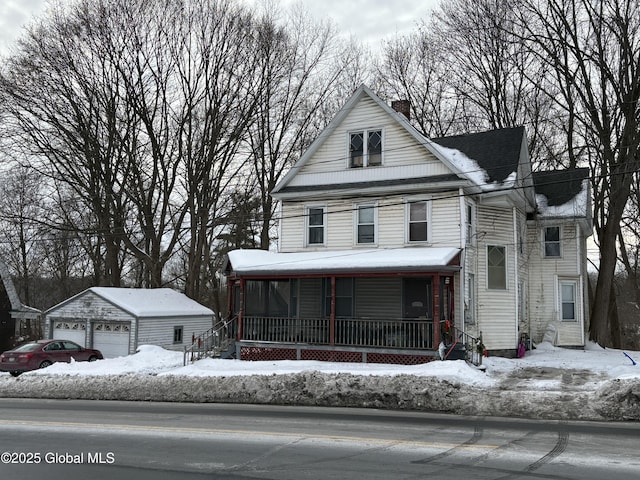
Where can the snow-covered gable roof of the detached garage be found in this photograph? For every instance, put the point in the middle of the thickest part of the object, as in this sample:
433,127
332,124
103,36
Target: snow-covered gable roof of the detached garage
147,302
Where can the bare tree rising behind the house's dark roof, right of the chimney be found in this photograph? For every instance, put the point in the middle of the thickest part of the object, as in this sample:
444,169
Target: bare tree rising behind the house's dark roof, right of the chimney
466,69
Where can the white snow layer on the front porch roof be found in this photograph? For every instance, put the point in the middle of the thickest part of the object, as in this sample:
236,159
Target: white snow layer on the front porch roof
262,262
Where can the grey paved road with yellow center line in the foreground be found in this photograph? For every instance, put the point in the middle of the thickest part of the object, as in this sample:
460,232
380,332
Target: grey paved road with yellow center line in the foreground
57,439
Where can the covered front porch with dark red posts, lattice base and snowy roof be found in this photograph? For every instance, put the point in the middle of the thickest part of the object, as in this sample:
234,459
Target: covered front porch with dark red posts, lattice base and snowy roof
392,306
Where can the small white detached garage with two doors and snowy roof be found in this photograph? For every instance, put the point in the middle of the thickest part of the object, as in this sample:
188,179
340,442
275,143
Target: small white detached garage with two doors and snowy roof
117,320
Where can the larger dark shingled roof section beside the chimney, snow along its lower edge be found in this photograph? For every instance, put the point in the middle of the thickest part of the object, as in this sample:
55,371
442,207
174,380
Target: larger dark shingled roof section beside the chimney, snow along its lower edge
496,151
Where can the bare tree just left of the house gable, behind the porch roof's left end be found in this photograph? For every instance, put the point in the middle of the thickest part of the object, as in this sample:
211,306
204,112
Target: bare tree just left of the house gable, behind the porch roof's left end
303,70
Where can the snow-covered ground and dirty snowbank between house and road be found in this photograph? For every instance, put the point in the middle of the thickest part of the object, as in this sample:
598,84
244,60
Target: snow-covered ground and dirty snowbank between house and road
549,382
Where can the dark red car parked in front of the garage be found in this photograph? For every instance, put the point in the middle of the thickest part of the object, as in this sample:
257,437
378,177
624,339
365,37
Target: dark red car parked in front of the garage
41,354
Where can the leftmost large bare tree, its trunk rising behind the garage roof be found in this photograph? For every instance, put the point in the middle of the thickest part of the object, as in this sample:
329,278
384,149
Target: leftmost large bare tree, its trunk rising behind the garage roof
61,102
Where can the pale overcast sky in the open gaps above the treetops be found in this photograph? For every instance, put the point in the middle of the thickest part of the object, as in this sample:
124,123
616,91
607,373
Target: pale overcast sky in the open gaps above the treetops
368,20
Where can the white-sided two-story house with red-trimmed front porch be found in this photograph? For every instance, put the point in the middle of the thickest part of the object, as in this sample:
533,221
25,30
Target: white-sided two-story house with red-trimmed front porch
392,245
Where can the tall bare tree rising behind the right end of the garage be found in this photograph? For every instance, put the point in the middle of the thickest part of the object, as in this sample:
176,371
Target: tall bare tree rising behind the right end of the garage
215,61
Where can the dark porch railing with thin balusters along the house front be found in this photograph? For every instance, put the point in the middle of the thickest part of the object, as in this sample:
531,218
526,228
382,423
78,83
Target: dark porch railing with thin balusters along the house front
360,332
